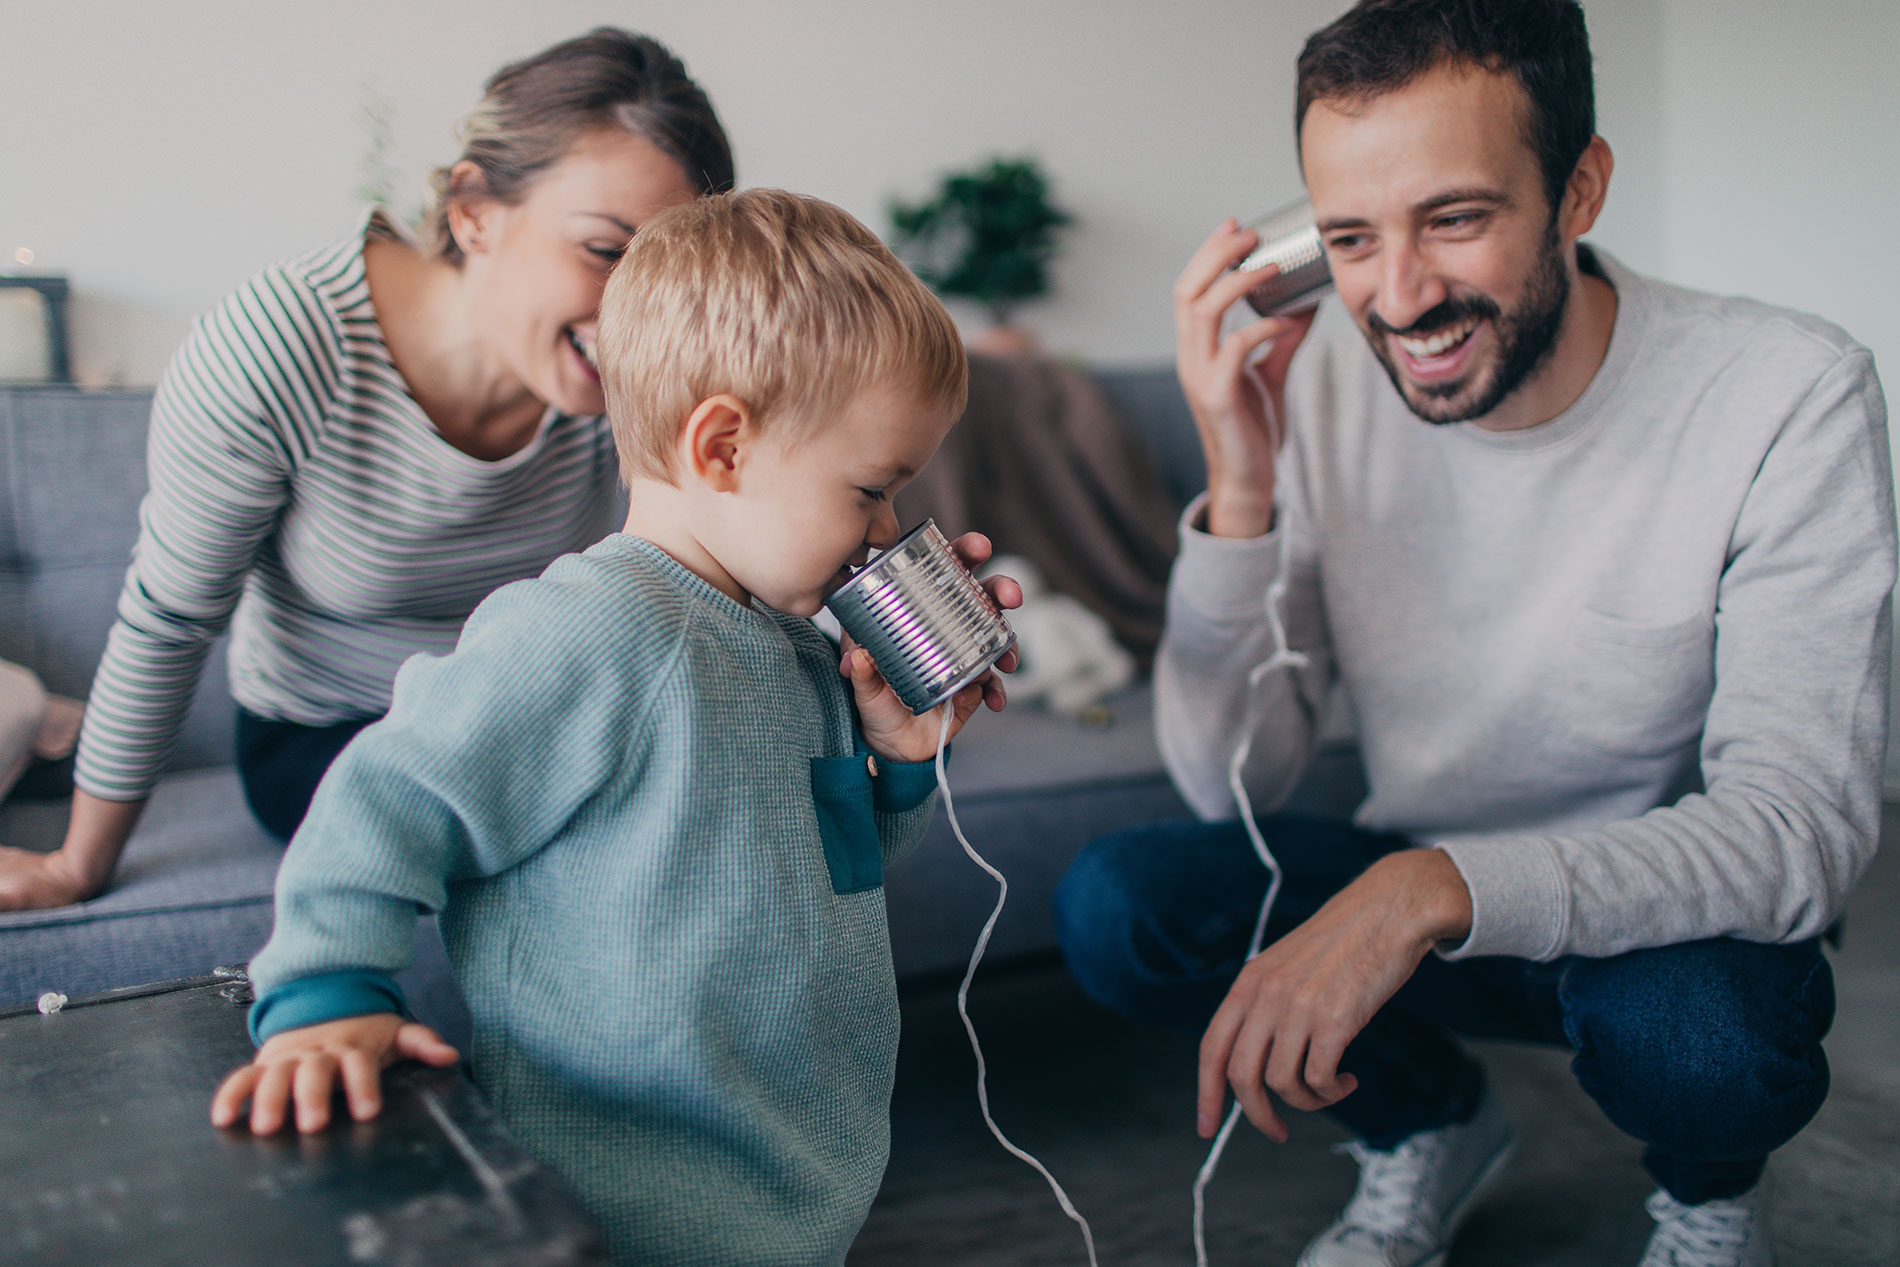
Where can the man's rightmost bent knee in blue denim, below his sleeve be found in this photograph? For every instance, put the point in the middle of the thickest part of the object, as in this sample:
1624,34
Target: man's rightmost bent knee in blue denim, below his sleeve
1707,1050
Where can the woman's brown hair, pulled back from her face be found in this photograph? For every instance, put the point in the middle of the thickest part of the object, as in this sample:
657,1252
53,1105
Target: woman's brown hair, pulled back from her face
535,111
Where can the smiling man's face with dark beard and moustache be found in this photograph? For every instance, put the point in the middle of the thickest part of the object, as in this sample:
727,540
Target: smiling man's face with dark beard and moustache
1441,238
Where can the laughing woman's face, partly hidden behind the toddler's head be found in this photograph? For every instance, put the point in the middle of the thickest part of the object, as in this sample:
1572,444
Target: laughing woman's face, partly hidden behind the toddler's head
535,271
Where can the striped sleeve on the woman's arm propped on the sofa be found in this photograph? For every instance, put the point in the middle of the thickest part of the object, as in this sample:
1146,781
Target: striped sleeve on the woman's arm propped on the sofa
231,417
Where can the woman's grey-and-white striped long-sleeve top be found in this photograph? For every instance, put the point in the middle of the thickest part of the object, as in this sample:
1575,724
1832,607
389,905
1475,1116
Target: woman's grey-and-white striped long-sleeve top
303,499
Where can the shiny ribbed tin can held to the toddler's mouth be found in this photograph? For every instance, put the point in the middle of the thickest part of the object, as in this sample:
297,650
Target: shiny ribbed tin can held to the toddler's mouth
924,618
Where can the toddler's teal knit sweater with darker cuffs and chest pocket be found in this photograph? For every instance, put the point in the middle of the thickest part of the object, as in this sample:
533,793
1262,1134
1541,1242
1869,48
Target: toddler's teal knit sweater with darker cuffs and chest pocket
656,848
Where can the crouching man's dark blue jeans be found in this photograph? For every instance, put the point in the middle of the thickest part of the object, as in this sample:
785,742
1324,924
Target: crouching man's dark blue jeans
1705,1051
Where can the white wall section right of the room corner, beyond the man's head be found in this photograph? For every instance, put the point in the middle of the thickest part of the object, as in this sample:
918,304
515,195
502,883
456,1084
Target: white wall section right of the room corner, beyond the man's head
1781,166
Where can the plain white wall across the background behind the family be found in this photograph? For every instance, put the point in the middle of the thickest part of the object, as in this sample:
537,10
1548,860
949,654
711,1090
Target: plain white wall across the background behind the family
161,153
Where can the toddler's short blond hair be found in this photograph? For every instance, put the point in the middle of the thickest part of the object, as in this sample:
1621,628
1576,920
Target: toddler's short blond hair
782,301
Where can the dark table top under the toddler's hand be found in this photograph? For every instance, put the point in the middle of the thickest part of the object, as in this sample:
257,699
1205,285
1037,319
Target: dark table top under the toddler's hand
107,1154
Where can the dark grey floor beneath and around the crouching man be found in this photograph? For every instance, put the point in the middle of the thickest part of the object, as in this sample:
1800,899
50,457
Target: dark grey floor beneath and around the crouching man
1109,1106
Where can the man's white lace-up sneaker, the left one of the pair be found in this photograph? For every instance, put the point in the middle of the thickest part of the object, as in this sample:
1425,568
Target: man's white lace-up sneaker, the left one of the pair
1413,1201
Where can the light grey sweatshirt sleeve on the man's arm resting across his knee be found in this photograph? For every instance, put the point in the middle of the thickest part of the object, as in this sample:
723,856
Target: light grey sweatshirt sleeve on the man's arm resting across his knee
1795,738
